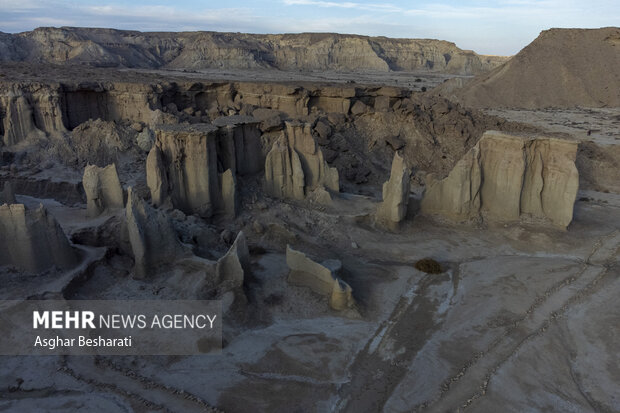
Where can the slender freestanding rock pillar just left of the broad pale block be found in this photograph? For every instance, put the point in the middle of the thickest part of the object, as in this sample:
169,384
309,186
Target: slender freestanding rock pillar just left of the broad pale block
395,193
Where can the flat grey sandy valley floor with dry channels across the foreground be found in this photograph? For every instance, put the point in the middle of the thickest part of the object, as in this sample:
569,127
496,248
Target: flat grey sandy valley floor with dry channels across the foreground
522,318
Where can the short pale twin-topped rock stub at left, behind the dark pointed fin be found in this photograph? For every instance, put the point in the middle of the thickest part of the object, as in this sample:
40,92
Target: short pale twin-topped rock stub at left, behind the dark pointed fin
103,189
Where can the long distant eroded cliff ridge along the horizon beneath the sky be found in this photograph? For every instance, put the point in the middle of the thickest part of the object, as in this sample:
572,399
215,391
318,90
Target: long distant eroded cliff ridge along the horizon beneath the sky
201,50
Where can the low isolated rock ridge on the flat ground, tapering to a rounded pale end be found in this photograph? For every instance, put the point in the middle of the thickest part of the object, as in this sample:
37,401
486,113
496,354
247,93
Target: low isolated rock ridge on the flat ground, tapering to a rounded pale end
320,278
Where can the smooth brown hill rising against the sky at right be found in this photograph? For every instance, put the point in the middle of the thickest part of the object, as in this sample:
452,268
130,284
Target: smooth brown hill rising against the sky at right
561,68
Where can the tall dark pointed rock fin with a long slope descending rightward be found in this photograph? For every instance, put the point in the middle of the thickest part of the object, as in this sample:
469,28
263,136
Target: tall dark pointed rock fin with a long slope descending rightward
153,239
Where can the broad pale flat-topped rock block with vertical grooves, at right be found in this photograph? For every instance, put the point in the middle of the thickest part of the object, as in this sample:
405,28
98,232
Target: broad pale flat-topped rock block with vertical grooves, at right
505,178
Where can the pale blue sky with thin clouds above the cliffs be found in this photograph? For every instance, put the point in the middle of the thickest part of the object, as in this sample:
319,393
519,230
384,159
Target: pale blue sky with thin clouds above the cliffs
500,28
